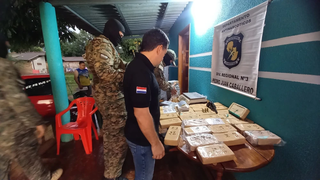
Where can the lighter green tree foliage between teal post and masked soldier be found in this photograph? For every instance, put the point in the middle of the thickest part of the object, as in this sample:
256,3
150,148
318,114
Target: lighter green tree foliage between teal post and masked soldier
76,47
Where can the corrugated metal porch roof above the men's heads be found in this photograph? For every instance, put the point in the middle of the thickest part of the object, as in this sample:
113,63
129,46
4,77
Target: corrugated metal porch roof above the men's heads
137,18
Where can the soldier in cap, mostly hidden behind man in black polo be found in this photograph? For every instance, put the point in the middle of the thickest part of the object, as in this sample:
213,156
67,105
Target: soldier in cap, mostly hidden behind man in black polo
158,72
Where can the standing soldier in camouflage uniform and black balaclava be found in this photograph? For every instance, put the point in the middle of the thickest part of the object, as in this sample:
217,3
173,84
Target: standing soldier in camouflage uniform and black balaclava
108,70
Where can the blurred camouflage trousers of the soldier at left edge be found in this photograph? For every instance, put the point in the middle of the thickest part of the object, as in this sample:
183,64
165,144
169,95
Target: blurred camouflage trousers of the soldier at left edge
23,150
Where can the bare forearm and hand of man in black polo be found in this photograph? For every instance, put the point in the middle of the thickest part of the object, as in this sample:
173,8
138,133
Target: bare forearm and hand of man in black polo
145,122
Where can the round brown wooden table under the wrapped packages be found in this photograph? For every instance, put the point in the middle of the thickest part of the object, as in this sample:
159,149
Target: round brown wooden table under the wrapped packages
248,158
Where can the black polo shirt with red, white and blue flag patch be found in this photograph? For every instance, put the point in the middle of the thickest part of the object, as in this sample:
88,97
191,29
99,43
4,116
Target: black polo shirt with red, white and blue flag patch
141,90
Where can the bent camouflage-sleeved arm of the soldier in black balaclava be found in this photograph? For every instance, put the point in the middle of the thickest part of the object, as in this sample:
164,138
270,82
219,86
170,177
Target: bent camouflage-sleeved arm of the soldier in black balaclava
104,64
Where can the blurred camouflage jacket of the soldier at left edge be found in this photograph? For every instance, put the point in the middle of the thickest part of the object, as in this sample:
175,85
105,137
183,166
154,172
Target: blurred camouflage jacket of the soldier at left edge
16,109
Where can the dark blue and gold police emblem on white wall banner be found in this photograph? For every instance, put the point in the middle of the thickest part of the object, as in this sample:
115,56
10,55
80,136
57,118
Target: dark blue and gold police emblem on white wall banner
232,50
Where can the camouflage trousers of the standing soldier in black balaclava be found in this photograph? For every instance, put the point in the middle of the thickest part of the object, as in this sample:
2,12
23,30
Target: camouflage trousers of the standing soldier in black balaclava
114,142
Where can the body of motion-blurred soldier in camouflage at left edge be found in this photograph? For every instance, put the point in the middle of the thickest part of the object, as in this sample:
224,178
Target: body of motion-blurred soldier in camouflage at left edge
18,123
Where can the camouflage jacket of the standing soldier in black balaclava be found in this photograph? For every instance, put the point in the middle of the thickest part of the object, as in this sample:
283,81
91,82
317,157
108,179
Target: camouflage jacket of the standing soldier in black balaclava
107,67
